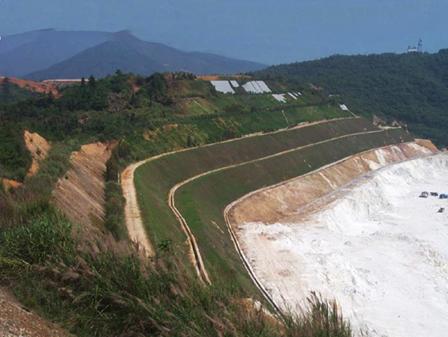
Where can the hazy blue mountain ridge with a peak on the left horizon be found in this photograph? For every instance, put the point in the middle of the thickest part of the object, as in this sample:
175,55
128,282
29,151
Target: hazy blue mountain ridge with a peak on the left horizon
51,53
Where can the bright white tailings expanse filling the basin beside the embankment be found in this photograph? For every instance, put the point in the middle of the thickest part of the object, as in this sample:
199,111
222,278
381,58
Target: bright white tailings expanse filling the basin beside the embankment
378,249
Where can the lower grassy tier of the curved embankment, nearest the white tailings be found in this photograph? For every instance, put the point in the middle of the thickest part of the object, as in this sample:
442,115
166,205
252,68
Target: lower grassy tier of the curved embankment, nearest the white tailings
202,201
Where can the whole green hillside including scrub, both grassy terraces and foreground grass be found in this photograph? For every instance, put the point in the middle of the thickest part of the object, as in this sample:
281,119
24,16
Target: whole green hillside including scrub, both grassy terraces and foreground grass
92,281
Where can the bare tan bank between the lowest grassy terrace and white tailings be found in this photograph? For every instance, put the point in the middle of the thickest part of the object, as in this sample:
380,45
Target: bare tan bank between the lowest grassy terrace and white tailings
290,198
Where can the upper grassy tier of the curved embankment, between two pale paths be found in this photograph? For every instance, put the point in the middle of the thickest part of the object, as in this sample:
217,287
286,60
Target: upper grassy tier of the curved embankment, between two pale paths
155,179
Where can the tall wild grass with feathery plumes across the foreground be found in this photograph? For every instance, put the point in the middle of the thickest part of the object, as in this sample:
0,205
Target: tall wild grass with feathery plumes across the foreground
102,293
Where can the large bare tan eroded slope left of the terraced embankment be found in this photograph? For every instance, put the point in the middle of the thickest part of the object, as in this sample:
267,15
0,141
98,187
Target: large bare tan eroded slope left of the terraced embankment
80,193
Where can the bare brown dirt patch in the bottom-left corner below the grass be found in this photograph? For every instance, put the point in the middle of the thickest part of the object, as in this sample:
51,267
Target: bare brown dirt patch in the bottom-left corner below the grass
15,321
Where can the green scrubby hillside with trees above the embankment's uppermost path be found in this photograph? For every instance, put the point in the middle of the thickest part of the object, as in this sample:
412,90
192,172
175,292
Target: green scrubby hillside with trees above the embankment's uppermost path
151,115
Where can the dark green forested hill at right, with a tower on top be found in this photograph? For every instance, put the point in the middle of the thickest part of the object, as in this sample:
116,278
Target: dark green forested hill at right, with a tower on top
411,88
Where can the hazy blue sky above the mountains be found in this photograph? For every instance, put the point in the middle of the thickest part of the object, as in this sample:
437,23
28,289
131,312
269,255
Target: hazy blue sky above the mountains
261,30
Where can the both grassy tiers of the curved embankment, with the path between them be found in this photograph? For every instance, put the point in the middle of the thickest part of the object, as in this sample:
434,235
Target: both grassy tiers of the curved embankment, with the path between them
158,180
